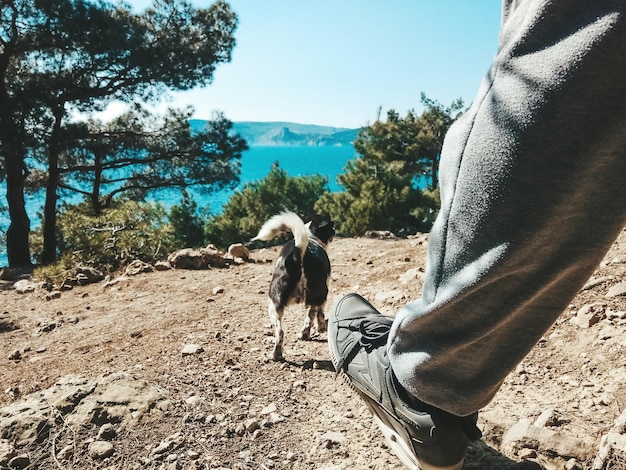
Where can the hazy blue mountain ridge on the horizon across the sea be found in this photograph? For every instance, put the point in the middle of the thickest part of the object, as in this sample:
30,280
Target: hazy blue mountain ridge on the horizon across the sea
288,133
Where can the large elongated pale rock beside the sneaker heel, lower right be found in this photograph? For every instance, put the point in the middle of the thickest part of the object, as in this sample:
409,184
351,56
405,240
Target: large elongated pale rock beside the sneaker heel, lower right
524,435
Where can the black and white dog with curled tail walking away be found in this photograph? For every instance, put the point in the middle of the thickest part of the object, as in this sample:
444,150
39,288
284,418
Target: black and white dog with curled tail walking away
301,273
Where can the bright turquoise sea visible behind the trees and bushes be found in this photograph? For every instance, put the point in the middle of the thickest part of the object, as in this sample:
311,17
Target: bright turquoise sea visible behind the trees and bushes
255,165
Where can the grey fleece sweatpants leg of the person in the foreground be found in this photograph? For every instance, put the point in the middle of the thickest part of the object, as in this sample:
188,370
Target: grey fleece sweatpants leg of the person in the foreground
533,189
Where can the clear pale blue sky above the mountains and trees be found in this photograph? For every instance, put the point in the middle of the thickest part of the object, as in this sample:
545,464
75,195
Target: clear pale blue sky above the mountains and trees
336,62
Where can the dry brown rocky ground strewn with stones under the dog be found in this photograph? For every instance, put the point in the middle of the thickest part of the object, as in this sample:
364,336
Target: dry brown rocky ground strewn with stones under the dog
169,370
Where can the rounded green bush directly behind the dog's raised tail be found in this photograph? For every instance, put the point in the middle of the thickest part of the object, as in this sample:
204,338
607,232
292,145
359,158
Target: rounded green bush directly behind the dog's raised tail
249,208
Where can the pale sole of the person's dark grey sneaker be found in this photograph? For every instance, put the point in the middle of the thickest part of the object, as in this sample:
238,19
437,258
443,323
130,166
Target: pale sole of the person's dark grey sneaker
382,419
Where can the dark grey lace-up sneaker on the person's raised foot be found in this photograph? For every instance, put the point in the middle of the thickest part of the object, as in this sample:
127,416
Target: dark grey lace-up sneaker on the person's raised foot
422,436
